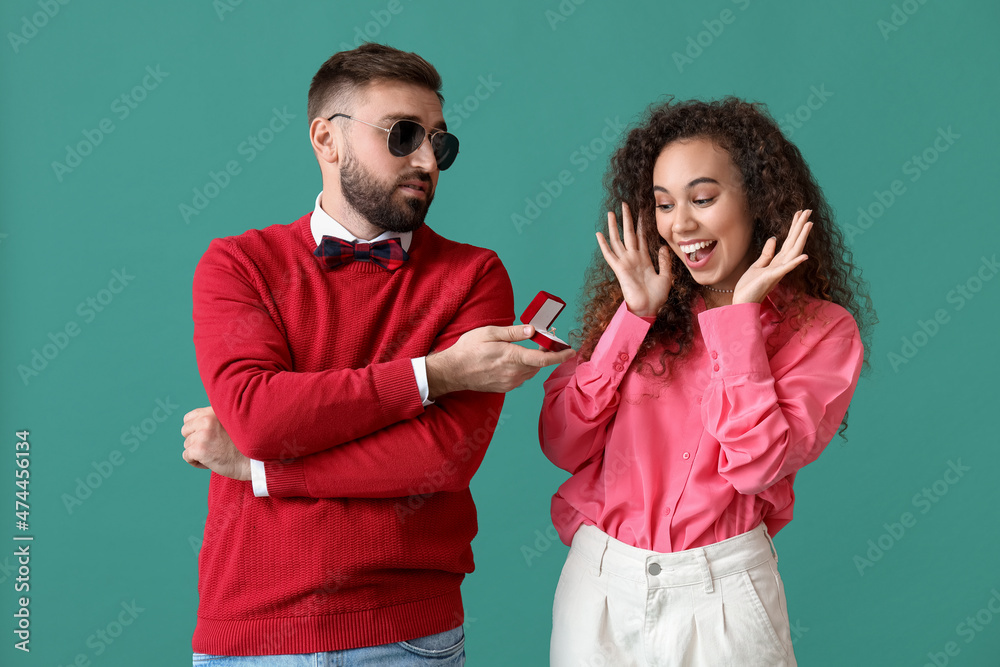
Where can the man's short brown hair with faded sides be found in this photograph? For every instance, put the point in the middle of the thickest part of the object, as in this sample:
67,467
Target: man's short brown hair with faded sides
345,73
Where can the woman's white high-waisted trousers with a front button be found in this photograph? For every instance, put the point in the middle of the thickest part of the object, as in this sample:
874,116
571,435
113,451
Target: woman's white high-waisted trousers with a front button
722,605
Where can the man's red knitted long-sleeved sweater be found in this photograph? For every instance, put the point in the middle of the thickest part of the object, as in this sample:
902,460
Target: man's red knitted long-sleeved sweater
309,370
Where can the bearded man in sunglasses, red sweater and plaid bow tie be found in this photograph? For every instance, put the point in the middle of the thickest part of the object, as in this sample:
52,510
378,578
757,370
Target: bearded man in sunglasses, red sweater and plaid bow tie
360,386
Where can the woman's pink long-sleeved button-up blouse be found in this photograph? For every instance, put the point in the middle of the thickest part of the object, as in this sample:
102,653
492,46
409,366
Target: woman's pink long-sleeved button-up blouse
711,453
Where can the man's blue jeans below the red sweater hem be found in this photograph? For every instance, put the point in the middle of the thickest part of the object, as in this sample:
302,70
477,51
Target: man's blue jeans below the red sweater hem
445,649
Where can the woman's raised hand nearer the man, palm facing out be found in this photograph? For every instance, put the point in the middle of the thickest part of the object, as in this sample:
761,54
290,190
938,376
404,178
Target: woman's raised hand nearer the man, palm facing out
644,289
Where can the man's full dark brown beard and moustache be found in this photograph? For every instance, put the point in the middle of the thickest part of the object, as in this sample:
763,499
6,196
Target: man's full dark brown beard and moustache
374,199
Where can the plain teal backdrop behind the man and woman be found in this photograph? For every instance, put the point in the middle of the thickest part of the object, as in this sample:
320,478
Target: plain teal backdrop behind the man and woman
134,538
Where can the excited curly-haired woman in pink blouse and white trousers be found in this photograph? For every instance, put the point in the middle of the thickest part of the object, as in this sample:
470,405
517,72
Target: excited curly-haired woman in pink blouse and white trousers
719,352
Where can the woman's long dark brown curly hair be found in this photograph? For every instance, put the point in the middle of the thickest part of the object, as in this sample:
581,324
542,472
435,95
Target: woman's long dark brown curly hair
777,183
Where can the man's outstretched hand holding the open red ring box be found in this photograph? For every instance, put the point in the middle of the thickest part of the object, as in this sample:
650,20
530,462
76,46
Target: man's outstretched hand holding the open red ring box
485,359
